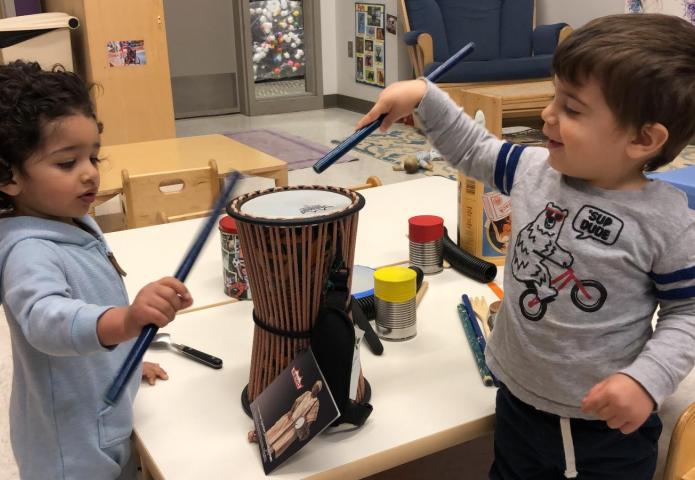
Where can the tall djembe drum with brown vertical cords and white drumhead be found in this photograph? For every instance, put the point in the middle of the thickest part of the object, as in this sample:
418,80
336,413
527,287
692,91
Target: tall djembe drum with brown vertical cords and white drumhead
292,237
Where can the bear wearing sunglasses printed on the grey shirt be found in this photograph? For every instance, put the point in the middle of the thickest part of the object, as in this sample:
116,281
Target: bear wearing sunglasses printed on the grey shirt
536,245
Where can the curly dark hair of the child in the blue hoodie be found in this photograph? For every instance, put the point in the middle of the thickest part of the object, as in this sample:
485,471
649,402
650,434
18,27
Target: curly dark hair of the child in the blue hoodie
29,98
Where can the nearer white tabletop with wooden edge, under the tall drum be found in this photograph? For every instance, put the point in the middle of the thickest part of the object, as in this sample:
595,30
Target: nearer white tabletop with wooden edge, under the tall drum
426,392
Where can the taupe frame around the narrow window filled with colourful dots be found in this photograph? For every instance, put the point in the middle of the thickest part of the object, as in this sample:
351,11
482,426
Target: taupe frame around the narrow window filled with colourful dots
313,99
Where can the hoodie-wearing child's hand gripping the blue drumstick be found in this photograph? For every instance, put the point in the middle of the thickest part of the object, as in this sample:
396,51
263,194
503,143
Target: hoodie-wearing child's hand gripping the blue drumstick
157,303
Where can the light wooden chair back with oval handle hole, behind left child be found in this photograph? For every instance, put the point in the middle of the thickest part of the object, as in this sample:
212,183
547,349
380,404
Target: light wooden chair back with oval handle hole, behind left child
154,198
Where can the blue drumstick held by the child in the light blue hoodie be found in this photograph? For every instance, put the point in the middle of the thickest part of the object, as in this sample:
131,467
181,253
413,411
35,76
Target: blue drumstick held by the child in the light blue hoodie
148,332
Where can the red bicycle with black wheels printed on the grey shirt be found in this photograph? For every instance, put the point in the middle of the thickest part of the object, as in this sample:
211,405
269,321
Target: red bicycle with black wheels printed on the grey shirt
587,295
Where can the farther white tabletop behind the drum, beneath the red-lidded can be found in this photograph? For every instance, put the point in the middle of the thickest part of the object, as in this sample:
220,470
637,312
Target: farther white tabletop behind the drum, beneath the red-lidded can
150,253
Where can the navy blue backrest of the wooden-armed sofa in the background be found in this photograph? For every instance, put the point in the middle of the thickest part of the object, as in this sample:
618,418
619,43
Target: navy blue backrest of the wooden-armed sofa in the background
499,28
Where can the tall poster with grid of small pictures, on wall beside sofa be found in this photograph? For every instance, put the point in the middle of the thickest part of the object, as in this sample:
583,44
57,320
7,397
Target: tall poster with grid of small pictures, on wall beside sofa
370,47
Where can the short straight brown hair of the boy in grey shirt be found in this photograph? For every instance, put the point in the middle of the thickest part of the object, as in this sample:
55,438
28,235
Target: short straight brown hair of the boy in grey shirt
645,66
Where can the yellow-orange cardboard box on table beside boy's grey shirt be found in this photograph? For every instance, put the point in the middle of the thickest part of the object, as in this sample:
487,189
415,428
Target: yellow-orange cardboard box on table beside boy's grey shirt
484,227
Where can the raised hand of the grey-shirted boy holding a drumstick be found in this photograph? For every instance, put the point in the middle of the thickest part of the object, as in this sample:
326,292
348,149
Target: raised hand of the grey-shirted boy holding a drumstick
397,100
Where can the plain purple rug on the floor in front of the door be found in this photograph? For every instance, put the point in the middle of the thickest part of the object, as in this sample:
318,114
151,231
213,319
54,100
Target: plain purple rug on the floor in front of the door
297,152
